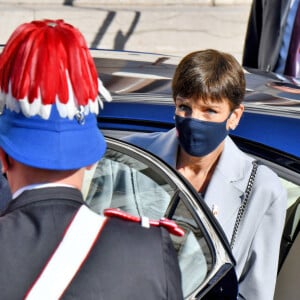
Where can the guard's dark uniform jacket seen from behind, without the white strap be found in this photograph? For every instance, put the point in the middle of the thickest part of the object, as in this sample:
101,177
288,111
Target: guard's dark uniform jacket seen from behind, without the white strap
127,262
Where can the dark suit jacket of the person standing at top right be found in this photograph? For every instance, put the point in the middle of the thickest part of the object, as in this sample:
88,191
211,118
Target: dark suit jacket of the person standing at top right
265,33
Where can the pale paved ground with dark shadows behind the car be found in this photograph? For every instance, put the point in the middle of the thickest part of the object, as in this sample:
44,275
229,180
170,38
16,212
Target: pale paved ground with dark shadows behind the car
167,29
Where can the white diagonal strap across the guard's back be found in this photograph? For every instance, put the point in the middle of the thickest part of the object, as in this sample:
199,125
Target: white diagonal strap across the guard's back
70,254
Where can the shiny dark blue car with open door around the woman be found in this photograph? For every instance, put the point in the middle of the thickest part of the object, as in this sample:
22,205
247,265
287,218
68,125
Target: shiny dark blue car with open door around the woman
269,131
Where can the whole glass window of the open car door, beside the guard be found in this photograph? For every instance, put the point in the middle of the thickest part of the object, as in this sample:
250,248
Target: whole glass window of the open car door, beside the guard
121,181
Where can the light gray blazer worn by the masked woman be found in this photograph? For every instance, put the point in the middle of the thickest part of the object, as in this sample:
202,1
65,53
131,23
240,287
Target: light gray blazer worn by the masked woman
257,244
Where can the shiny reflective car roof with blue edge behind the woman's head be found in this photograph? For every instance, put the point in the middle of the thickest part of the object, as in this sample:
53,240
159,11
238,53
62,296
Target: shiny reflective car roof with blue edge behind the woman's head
143,80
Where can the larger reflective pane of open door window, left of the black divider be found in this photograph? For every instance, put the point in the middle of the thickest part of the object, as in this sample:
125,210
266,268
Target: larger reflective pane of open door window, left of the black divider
120,181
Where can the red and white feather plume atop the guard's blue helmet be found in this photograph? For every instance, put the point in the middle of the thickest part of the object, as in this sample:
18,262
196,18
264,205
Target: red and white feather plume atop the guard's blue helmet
39,72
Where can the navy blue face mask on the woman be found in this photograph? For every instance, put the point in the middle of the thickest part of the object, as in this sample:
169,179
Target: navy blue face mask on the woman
199,138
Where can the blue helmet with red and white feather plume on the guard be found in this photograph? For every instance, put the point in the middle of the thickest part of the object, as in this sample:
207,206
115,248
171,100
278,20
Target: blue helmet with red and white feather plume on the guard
49,97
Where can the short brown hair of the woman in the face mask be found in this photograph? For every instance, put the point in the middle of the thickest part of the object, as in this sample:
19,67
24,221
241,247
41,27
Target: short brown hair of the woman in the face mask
210,74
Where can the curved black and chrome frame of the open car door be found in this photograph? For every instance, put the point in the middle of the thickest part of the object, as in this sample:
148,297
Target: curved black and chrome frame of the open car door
224,261
